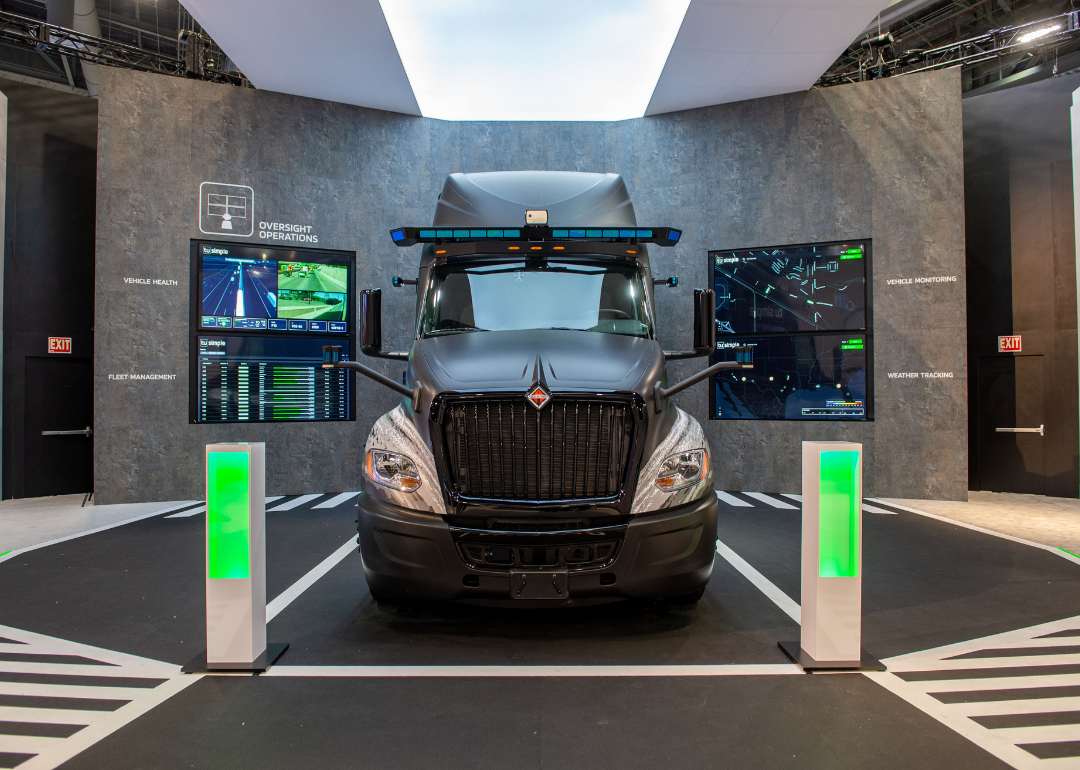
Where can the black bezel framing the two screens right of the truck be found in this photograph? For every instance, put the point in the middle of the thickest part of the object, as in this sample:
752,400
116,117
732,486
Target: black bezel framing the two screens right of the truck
868,331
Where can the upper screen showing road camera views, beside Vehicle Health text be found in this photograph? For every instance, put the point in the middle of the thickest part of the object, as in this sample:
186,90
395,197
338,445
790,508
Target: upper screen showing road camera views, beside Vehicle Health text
247,288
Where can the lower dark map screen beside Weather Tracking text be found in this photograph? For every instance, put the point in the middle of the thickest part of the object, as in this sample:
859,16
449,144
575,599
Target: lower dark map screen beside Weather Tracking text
796,377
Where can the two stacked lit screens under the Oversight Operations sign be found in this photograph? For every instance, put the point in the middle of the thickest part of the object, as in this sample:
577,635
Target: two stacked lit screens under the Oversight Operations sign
260,320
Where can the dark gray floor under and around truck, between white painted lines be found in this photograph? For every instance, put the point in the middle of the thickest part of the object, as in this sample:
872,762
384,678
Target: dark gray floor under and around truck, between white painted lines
139,589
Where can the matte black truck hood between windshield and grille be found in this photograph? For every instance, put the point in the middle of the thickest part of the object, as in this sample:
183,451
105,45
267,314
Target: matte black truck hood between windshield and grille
482,361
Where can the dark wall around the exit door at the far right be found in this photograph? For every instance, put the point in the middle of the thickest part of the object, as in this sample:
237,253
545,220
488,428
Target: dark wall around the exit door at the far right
1022,253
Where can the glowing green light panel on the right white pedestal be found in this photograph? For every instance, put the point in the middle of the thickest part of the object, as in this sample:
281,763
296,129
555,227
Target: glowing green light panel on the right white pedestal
839,523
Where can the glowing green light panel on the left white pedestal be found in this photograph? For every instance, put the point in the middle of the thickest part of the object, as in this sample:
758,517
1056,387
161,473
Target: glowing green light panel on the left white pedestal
228,515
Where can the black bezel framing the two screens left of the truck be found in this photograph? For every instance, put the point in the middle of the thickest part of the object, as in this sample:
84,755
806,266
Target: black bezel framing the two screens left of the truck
325,256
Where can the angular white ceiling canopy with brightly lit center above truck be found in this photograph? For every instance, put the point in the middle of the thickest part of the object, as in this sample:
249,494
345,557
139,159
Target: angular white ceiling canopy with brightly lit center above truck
534,60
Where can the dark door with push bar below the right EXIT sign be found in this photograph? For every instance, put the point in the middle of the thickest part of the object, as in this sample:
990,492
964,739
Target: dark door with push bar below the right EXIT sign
1012,425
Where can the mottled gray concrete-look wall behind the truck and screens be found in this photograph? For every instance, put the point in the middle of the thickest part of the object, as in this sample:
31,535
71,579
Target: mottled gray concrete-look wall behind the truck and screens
881,160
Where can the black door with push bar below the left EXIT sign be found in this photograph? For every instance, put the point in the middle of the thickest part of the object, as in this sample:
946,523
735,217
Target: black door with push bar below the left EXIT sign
59,415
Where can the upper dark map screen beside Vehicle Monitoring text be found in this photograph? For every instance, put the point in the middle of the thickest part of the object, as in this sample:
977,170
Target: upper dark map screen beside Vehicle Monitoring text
818,288
